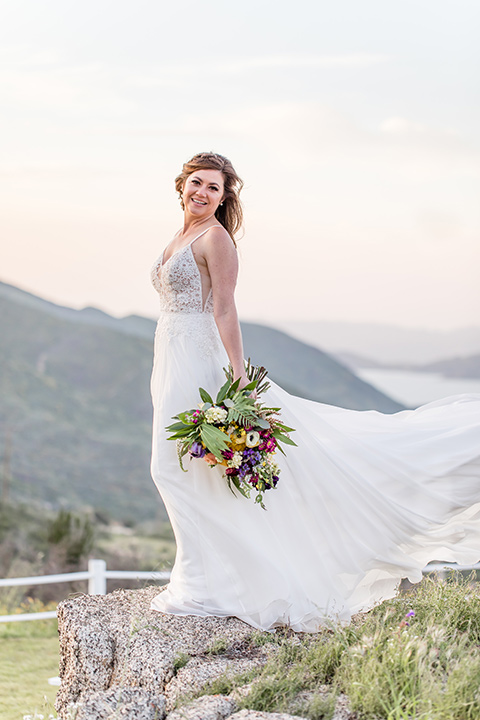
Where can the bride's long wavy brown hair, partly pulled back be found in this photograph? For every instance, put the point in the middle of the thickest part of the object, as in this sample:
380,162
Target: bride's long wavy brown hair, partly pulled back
230,213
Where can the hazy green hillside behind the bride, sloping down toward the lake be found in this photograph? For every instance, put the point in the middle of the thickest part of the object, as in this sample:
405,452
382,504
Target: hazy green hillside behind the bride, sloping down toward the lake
76,409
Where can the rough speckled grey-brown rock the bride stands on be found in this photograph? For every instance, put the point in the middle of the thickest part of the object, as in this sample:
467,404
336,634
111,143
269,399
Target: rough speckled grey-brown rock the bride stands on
119,659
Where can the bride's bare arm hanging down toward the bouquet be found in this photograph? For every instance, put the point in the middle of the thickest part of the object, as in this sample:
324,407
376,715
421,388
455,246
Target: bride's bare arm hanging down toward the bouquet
222,262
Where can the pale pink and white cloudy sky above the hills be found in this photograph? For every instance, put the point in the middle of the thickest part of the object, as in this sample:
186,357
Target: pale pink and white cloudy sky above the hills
355,126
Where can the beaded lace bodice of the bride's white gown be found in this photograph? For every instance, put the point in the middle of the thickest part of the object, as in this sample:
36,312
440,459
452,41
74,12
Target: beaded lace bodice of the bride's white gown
179,284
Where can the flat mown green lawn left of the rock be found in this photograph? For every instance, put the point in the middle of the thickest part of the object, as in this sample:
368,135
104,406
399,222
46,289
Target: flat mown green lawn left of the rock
28,657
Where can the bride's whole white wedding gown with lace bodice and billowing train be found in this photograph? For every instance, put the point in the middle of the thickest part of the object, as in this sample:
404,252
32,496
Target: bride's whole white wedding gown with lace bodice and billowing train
364,500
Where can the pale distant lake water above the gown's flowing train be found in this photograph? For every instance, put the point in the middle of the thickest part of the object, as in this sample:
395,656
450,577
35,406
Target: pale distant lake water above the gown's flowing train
416,388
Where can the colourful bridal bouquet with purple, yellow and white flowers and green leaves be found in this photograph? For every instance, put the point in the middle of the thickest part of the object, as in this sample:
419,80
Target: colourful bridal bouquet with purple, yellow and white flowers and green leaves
235,432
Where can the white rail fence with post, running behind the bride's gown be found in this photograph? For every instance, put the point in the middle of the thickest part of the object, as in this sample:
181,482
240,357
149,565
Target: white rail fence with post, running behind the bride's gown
97,576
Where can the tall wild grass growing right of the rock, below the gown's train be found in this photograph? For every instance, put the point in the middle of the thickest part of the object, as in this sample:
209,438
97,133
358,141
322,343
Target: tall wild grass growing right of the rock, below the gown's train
416,656
